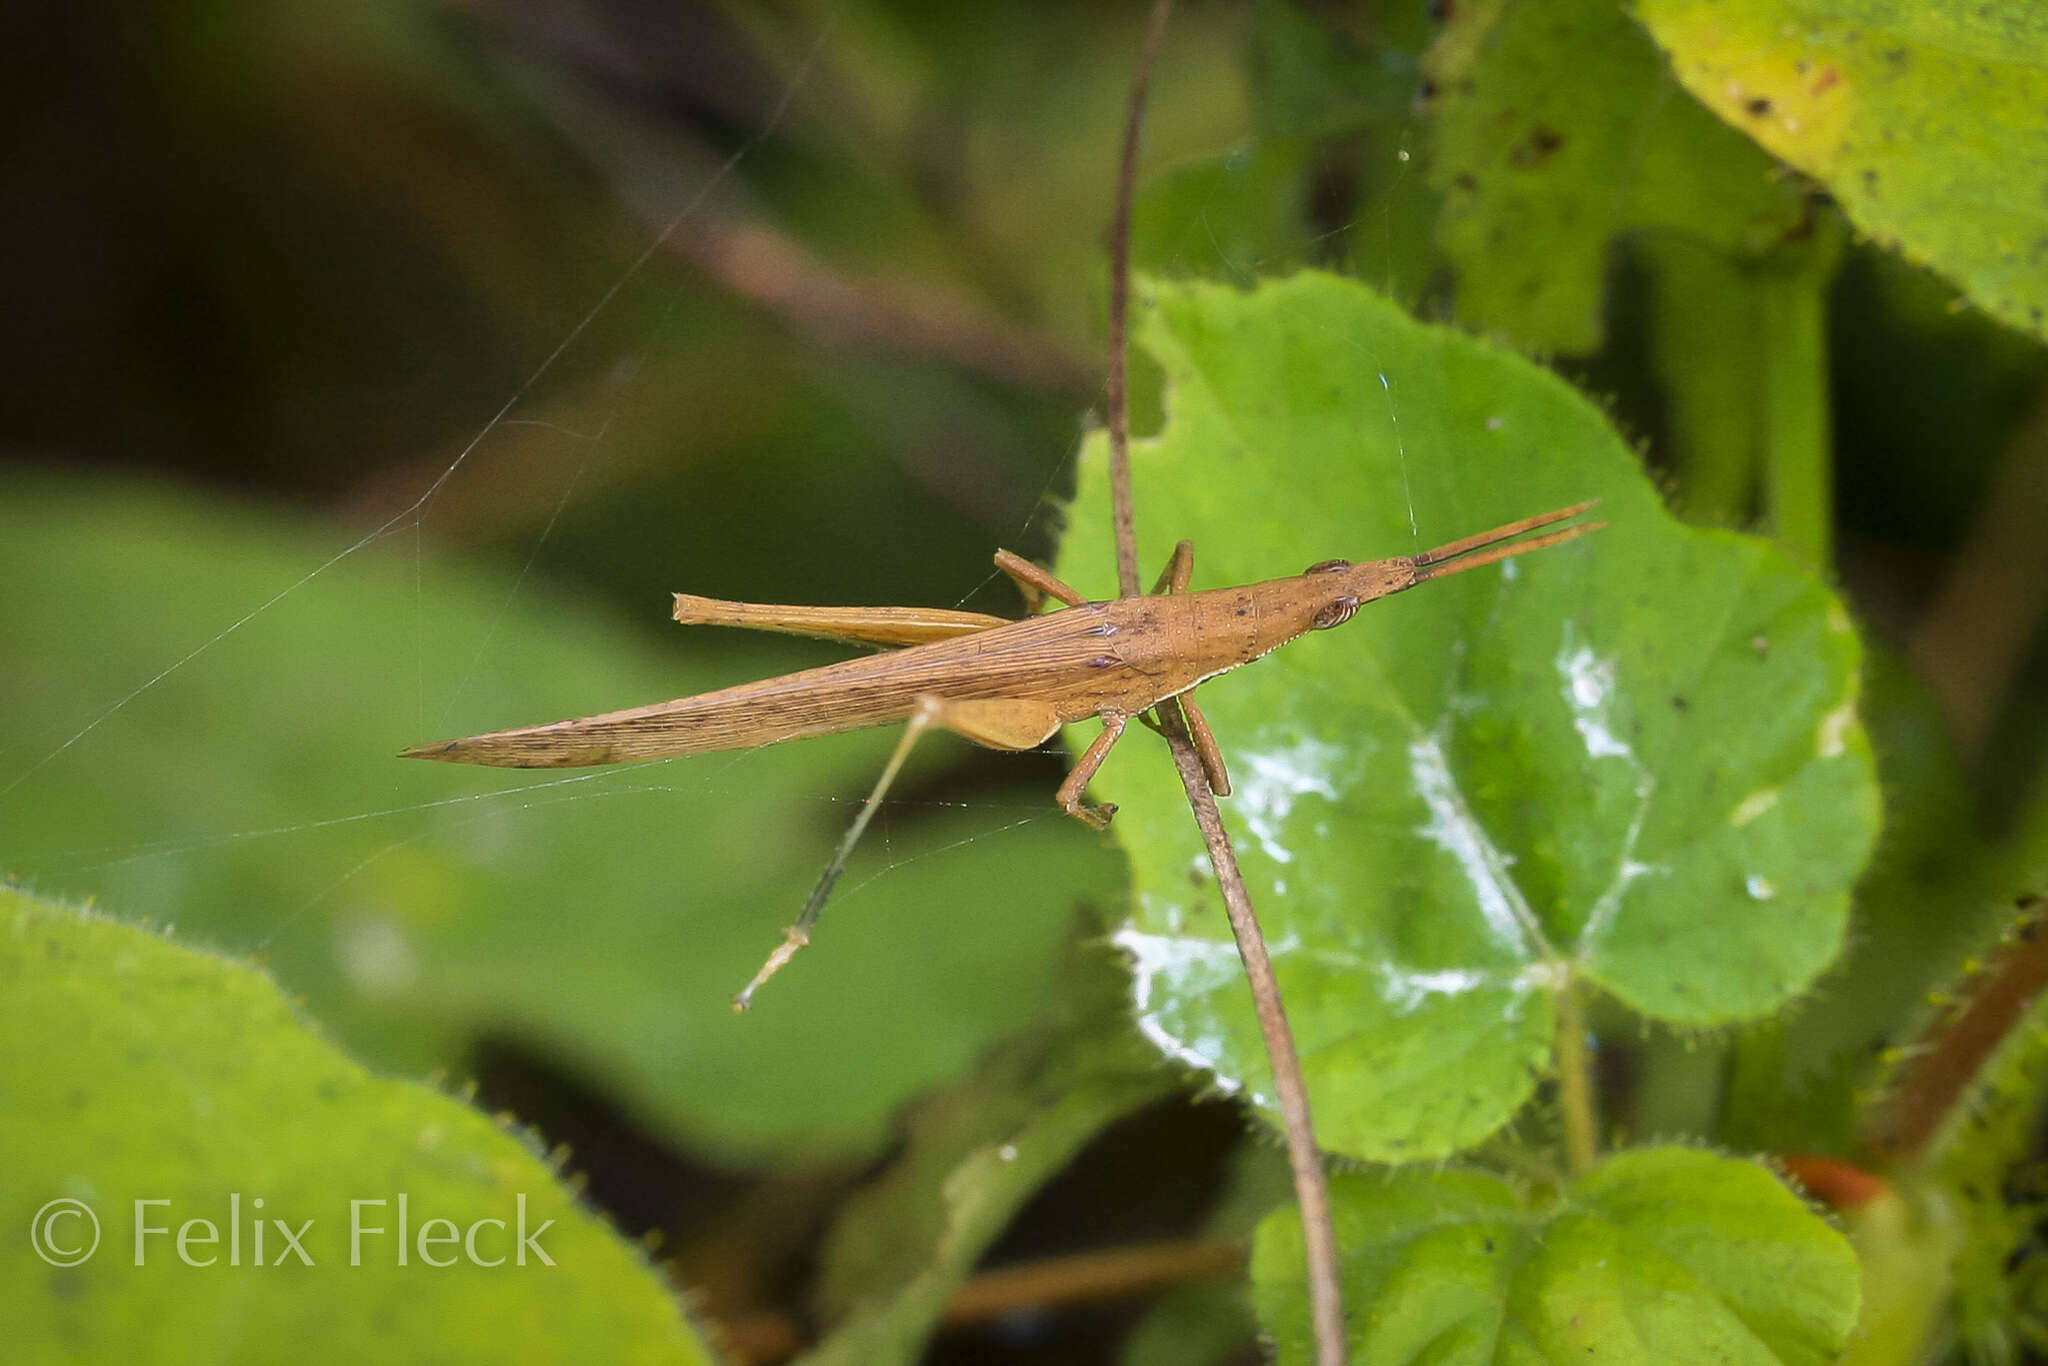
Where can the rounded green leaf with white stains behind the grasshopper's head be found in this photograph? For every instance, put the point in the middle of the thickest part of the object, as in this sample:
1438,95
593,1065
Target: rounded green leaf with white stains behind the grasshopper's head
1631,761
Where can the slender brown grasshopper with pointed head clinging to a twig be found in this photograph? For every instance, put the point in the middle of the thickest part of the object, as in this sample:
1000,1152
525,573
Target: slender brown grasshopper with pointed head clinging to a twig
1007,685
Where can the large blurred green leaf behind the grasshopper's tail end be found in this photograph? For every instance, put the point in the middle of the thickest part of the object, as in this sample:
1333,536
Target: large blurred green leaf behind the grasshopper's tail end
601,916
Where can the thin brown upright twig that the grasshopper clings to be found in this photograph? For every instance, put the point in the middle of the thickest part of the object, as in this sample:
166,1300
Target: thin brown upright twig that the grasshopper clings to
1312,1191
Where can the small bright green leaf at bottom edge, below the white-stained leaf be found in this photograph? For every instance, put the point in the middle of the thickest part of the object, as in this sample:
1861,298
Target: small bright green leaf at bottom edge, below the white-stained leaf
1658,1256
